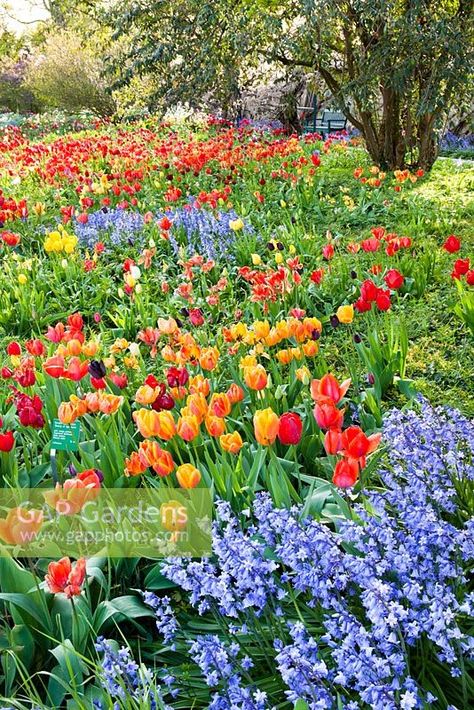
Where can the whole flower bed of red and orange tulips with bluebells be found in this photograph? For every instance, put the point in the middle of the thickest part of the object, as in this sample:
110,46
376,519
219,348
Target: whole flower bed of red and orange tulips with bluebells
226,317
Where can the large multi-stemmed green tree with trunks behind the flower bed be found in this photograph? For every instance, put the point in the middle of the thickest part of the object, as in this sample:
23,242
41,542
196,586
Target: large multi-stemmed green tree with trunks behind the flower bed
393,66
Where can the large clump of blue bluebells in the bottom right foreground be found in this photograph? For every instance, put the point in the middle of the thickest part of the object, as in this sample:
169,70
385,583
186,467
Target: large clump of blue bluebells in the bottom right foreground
369,616
